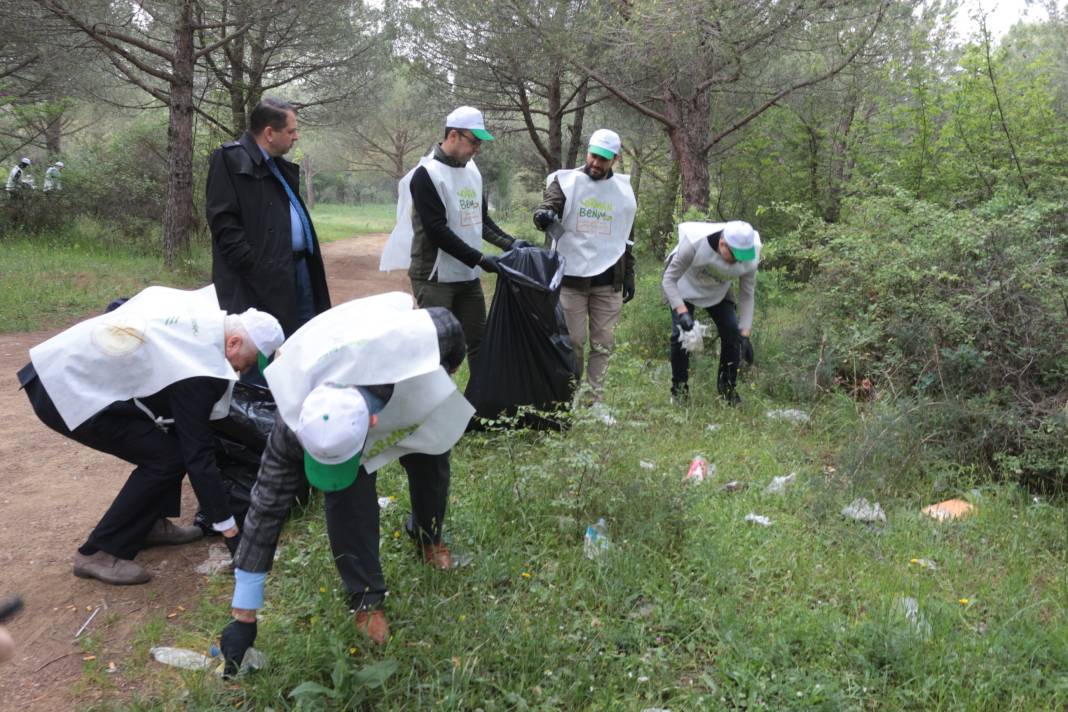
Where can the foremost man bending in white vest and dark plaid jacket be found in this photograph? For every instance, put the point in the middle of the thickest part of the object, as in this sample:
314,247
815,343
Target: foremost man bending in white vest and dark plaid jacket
344,383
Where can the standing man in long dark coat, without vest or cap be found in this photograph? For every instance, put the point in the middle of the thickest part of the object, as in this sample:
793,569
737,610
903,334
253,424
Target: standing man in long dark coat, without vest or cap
264,252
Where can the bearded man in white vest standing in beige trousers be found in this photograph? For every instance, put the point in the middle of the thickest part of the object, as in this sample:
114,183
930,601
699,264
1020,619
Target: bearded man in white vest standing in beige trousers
598,209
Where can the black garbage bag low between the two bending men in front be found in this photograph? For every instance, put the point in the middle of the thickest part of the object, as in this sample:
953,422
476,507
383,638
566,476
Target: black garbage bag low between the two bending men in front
241,439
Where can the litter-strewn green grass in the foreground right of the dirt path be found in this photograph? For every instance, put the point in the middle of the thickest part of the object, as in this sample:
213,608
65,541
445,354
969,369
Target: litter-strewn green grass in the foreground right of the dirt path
693,608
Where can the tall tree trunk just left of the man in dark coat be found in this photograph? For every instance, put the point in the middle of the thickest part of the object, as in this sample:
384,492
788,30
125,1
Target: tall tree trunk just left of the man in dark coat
179,214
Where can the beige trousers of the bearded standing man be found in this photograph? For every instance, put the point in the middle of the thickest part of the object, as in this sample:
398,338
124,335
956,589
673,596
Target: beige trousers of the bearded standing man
595,310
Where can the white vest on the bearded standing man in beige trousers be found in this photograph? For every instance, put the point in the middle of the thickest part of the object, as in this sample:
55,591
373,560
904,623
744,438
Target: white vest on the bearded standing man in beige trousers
598,219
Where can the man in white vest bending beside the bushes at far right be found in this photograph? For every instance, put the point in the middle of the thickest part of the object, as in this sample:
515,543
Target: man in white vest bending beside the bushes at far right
699,274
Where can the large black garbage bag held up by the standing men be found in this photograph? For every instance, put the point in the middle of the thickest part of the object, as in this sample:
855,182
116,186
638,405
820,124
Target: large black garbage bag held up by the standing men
526,358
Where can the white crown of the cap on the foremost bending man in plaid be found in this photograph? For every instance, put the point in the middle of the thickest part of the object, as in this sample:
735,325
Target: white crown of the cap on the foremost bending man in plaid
334,423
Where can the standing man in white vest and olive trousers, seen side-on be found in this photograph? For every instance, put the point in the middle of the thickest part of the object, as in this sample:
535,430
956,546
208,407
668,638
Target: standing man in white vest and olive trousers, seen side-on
442,223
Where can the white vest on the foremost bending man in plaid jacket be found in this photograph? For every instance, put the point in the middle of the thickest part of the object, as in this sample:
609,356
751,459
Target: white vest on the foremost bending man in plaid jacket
370,342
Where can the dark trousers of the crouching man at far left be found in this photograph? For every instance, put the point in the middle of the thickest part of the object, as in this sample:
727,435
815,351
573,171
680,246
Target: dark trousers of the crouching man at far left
154,488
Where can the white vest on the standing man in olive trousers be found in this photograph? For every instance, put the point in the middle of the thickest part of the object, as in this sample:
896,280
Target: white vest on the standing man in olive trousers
461,193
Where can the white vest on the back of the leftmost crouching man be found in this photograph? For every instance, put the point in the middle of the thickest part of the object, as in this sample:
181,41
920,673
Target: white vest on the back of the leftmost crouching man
159,338
